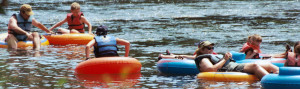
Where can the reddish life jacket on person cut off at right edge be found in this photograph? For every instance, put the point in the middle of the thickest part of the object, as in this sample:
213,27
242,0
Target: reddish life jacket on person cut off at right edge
292,60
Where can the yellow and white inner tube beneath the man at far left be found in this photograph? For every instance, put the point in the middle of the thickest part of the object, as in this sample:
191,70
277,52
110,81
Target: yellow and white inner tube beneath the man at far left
21,44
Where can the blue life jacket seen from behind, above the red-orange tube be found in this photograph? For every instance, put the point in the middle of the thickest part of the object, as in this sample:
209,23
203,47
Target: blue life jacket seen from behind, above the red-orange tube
106,46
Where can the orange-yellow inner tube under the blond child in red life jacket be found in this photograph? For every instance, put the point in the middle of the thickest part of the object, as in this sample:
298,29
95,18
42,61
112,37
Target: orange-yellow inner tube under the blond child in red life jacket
73,38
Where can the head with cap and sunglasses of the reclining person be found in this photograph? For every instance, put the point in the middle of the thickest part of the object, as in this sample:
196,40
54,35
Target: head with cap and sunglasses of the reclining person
205,47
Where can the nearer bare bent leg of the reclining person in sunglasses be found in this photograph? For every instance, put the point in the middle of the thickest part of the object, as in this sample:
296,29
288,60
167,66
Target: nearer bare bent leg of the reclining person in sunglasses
258,70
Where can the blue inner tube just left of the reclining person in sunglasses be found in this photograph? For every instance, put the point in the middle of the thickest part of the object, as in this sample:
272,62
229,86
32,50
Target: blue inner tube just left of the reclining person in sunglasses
177,67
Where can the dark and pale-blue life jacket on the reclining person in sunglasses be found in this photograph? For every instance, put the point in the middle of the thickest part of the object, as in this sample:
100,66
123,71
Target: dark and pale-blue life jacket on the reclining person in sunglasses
214,59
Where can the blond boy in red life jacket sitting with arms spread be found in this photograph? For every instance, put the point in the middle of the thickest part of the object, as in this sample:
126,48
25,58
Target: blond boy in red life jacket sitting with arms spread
75,20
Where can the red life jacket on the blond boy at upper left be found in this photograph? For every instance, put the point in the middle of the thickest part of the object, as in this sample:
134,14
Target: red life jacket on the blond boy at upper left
74,22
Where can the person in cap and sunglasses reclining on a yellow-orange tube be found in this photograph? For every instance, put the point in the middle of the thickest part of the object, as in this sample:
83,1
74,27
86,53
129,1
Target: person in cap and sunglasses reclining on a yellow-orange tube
208,62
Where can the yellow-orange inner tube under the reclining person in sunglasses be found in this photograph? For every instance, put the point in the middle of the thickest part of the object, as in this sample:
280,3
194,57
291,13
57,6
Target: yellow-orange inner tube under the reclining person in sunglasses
227,76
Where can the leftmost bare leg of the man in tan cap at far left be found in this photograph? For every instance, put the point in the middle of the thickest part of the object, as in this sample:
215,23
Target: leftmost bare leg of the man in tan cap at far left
11,41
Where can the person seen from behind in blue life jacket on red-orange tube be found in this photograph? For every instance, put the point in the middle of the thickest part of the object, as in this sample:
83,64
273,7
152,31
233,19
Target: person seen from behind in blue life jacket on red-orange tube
106,45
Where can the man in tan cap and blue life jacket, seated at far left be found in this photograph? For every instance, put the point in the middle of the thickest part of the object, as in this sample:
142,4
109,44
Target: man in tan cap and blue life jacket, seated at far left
19,28
